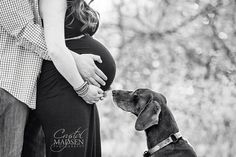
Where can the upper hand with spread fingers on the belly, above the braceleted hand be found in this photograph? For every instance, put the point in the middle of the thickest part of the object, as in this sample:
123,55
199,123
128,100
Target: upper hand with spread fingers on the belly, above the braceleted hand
88,69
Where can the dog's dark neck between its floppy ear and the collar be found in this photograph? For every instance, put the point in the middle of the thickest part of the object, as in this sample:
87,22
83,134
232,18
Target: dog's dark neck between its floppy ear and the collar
166,126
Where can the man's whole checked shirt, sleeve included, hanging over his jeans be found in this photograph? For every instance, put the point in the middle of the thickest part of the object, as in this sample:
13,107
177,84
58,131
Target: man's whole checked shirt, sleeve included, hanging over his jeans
22,48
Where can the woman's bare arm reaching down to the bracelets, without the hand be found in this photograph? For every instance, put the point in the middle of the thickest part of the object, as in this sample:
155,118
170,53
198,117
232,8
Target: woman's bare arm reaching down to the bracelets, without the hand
53,13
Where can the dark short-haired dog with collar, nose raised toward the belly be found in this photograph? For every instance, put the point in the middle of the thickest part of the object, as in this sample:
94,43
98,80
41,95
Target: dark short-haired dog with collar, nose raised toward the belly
155,118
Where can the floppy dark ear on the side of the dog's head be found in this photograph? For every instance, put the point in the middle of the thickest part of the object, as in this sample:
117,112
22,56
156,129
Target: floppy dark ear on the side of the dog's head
149,116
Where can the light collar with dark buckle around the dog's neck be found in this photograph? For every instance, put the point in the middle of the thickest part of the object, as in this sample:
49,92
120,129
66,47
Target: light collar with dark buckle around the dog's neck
171,139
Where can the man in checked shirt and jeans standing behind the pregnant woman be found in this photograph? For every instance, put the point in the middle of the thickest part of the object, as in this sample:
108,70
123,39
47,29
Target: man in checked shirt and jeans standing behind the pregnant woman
22,49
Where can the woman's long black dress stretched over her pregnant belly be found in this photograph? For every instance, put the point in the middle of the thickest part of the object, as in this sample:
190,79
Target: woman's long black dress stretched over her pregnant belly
71,126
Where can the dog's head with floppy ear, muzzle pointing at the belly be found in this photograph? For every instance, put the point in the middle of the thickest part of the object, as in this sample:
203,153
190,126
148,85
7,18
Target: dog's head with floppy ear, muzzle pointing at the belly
143,103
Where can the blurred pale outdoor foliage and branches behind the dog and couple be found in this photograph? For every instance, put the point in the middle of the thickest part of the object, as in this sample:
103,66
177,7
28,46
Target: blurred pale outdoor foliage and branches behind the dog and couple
185,49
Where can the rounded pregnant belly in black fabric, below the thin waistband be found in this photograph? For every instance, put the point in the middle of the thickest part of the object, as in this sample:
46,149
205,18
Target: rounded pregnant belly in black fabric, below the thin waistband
88,45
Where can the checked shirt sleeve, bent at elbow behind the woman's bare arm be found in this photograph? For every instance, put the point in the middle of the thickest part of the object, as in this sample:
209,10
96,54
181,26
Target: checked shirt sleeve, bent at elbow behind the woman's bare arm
18,19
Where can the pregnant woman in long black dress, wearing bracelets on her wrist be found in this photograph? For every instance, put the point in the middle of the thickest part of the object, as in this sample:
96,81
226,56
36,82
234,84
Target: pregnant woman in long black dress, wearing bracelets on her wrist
70,125
